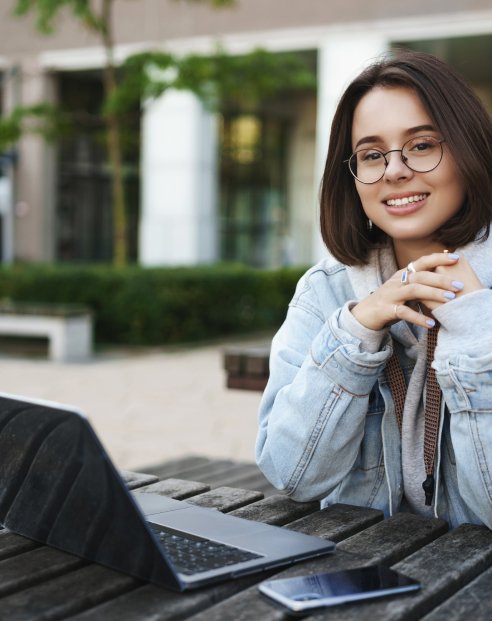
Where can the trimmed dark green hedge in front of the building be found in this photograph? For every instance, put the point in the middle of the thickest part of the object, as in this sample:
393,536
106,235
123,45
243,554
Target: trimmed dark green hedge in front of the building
154,306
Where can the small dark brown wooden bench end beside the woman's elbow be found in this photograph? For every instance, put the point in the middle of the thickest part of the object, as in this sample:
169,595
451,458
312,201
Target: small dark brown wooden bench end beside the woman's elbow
247,367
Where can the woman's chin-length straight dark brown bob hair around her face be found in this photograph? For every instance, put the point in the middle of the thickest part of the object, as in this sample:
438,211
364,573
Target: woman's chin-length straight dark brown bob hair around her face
465,126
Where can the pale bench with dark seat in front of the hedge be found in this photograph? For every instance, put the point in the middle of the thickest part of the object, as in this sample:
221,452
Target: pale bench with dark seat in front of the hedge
68,328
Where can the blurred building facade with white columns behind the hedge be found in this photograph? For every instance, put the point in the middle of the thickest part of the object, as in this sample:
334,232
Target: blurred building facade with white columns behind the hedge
203,188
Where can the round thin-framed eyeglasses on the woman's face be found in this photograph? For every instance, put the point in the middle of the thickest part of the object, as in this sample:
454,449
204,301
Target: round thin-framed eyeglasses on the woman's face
420,154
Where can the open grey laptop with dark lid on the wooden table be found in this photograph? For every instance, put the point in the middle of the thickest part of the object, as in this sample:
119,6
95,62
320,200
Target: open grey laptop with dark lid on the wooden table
59,487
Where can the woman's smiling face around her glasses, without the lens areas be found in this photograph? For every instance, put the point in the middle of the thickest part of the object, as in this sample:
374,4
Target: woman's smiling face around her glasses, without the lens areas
408,206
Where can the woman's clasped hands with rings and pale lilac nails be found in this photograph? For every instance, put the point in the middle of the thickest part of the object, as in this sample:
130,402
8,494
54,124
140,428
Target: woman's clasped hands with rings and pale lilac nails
437,279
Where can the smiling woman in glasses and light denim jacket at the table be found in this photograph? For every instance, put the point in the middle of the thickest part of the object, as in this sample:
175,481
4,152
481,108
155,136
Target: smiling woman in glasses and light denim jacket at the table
352,412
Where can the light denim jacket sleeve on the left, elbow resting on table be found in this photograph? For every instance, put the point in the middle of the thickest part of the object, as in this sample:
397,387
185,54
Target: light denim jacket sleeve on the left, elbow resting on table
312,415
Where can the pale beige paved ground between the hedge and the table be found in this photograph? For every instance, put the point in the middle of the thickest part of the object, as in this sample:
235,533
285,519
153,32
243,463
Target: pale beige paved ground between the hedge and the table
148,406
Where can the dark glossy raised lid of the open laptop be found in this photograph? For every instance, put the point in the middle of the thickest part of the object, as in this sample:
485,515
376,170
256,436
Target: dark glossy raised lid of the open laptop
59,487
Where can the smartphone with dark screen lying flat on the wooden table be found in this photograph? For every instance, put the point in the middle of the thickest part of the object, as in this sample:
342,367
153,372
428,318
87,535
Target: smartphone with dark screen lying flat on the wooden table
306,594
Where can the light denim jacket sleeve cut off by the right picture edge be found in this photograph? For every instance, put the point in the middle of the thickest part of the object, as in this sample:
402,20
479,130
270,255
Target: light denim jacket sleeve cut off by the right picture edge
463,363
